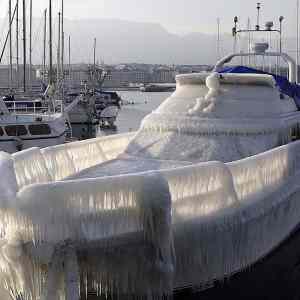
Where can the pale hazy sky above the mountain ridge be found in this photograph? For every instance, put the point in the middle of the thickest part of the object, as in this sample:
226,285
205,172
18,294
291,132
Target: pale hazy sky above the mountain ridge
179,16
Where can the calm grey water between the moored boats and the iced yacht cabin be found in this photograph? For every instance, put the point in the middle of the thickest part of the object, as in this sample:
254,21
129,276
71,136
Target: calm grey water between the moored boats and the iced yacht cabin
131,115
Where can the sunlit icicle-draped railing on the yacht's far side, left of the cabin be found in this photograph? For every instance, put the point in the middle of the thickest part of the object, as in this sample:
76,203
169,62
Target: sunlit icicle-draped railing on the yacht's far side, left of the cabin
55,163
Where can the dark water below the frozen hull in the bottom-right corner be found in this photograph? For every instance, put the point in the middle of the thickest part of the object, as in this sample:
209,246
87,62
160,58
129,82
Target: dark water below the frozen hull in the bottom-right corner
274,277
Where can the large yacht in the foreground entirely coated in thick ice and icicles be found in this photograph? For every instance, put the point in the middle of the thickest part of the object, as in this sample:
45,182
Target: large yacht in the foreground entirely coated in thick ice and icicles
205,189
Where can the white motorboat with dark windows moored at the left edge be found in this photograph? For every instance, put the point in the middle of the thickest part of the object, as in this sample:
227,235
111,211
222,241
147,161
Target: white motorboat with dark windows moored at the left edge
23,128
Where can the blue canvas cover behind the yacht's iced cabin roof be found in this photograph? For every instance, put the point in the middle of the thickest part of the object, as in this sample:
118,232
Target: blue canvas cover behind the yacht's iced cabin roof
282,83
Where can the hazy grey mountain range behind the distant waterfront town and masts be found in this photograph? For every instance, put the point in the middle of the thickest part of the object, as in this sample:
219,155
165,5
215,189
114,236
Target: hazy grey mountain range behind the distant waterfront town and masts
121,41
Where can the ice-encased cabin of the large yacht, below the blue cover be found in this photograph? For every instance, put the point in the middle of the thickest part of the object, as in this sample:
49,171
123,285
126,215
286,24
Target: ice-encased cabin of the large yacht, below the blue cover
230,117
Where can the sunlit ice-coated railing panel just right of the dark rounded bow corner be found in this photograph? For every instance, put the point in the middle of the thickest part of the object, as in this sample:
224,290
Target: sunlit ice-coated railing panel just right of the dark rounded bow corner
208,187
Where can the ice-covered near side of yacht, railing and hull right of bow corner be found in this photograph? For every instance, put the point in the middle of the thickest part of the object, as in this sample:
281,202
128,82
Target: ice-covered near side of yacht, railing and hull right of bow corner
216,232
